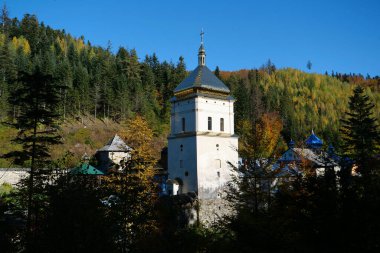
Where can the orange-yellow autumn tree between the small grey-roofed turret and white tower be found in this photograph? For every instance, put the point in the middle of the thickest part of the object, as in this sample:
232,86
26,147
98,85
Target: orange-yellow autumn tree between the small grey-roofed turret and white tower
134,192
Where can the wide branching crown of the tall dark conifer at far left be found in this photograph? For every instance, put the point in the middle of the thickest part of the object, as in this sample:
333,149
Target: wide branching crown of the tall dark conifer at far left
36,100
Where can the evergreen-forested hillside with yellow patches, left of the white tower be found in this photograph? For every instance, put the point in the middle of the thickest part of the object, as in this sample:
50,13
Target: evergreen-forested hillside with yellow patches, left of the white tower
98,82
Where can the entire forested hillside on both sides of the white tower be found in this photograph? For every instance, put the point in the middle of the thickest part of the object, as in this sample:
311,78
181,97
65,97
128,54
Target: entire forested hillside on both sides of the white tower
100,84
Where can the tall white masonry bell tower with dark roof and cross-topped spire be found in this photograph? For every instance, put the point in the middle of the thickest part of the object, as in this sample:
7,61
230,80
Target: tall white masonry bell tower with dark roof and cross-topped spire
202,143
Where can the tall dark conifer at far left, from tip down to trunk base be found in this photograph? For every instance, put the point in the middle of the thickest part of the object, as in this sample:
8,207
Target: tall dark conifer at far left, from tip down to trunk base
37,98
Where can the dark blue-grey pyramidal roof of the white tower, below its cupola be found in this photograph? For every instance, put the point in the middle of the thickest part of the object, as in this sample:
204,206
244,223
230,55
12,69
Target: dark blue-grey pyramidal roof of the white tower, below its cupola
202,77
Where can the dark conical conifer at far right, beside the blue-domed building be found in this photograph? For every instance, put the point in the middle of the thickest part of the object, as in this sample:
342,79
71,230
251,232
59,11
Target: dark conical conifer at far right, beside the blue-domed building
360,130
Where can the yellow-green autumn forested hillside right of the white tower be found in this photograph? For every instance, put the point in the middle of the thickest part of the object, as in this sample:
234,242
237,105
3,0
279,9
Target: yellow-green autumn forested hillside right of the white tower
305,101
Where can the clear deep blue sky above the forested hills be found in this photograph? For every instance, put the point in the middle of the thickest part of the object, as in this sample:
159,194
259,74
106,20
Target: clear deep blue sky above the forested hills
343,36
